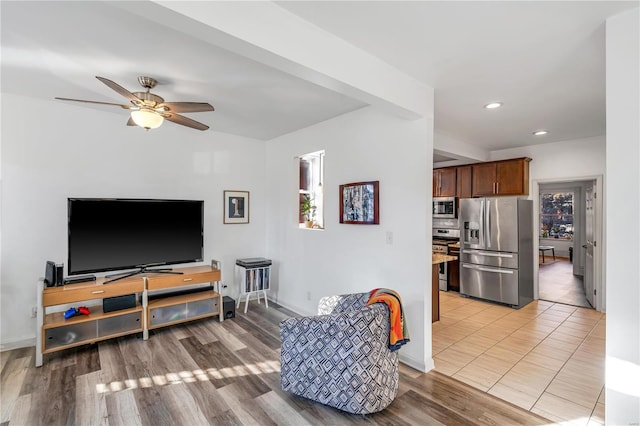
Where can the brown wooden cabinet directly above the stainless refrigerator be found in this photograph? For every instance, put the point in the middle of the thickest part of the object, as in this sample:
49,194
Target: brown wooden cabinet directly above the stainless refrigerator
507,177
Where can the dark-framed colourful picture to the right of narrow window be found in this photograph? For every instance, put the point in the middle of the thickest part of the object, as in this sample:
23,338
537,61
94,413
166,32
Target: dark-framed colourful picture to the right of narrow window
360,203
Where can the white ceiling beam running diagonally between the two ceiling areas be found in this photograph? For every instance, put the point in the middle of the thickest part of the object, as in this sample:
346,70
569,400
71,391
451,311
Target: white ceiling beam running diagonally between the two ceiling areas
273,36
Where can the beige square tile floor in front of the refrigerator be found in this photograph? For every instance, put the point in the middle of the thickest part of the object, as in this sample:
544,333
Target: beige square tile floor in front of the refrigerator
545,357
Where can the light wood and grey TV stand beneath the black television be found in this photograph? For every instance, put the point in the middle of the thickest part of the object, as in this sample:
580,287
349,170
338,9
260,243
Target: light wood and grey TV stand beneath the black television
55,333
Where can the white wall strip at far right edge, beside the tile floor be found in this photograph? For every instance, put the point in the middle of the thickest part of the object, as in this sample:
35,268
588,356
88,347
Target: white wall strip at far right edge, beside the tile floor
622,222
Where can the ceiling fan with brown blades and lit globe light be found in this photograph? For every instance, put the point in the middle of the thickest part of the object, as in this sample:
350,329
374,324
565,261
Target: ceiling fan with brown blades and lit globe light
149,110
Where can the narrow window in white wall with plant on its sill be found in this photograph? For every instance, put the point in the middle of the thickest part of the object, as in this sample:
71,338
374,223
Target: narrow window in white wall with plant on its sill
311,195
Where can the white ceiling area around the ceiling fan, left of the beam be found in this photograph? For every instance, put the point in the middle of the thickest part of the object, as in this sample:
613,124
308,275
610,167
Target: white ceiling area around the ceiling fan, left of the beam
54,49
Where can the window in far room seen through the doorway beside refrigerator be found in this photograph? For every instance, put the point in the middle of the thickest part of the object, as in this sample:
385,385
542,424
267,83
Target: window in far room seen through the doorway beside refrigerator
556,215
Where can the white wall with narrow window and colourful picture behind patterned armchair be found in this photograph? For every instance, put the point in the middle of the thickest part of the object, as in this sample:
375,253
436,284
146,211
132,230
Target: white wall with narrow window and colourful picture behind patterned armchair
360,146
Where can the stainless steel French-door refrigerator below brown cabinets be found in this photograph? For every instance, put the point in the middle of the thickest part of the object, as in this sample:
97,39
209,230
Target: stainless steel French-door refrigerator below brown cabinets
496,249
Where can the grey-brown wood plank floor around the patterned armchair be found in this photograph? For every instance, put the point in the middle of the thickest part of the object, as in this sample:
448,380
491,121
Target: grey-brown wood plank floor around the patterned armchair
208,372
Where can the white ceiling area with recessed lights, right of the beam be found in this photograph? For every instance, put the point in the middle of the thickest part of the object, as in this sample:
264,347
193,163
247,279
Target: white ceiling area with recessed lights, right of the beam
545,60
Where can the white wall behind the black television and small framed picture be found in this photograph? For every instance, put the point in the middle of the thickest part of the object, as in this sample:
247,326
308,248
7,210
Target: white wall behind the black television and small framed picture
76,151
